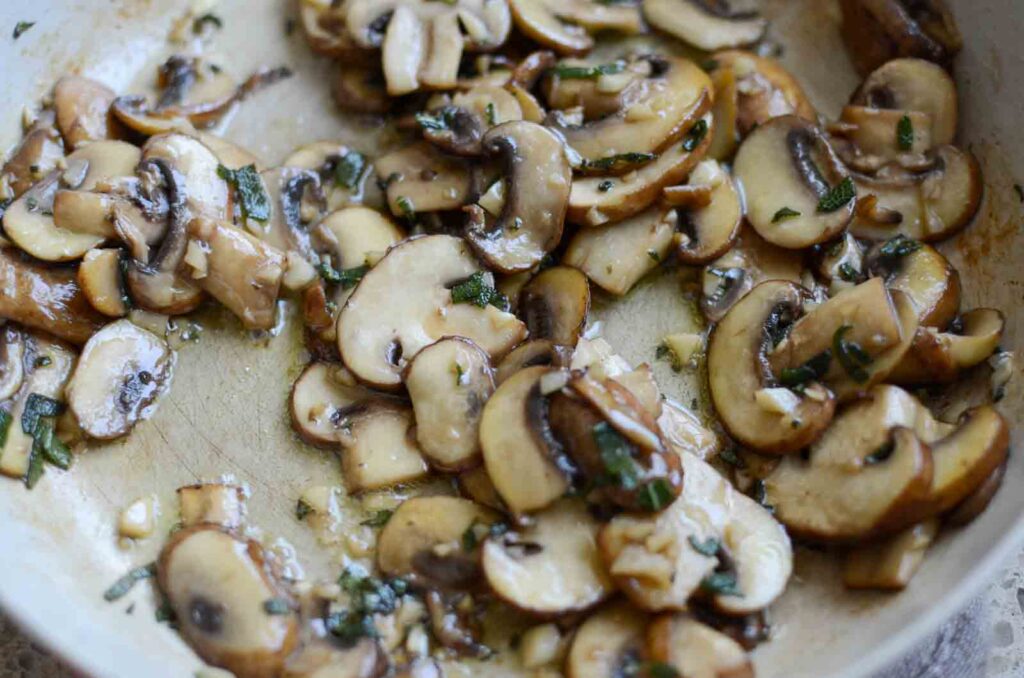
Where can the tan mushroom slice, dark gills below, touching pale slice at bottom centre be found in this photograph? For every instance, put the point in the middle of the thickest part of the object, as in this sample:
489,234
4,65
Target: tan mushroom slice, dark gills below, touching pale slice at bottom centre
425,541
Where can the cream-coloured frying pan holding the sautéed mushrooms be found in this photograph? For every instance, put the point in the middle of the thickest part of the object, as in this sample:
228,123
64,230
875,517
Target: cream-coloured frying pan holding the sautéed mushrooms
226,414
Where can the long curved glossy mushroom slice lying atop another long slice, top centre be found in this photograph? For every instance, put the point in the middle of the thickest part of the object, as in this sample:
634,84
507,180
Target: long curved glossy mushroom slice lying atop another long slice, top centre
671,103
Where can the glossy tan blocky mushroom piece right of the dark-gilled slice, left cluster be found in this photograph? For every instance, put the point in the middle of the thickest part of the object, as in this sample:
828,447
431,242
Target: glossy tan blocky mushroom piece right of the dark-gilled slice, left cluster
238,270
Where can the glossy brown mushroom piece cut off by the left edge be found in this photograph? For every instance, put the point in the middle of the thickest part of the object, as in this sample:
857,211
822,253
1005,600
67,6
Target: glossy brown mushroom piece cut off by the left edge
46,299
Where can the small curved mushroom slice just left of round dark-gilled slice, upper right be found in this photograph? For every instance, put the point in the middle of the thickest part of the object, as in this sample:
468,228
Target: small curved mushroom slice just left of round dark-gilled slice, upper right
707,231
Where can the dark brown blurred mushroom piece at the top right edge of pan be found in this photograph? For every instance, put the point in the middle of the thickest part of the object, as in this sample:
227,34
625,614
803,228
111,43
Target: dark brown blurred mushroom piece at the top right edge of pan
877,31
